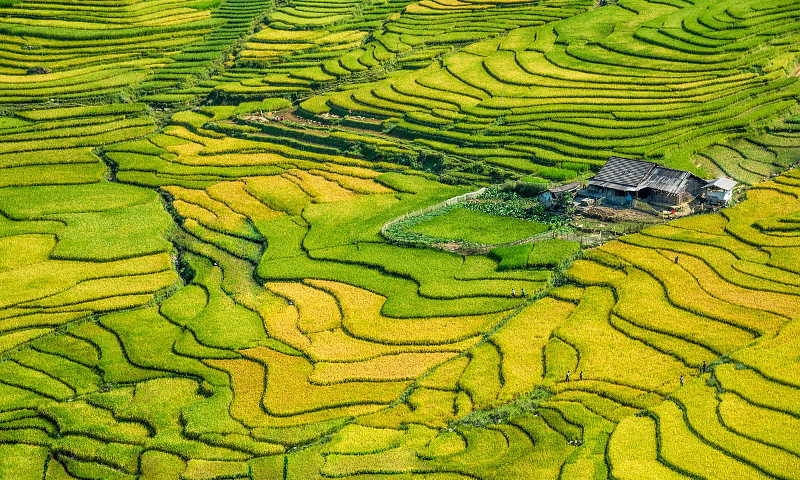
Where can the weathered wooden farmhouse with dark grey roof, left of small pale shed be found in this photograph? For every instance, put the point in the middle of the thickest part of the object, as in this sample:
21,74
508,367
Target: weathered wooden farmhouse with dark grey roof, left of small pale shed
623,180
